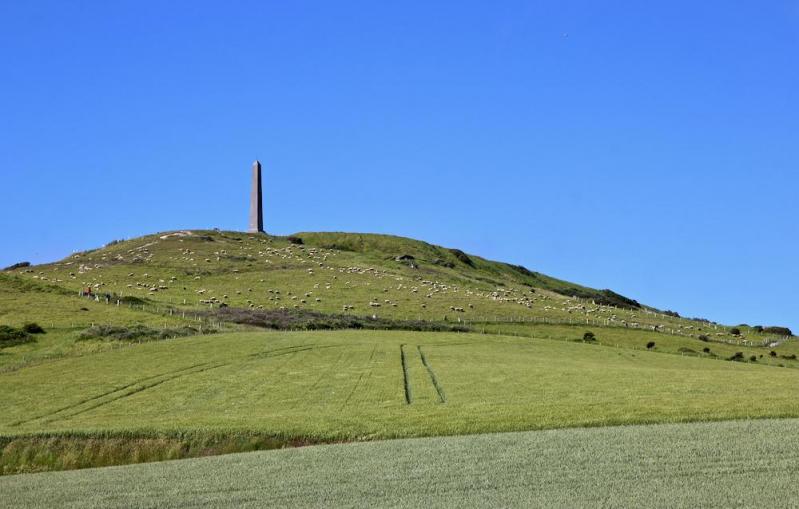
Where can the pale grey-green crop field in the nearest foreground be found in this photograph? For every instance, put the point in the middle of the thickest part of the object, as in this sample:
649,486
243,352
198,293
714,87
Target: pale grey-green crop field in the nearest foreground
724,464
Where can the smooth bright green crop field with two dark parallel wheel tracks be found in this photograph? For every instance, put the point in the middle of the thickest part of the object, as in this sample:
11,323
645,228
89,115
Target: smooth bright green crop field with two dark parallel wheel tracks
351,385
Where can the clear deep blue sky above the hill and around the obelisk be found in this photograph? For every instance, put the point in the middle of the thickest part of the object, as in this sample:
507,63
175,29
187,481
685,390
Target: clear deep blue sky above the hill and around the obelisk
650,148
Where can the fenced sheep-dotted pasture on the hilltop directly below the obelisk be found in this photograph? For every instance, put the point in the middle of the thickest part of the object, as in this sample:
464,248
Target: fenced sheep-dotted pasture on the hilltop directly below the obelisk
364,274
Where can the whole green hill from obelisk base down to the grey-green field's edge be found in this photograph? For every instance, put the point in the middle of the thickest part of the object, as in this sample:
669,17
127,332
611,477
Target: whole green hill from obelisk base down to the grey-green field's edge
167,356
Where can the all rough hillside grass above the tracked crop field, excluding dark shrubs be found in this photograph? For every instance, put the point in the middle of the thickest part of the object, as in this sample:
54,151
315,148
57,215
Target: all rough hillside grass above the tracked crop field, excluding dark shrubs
353,270
